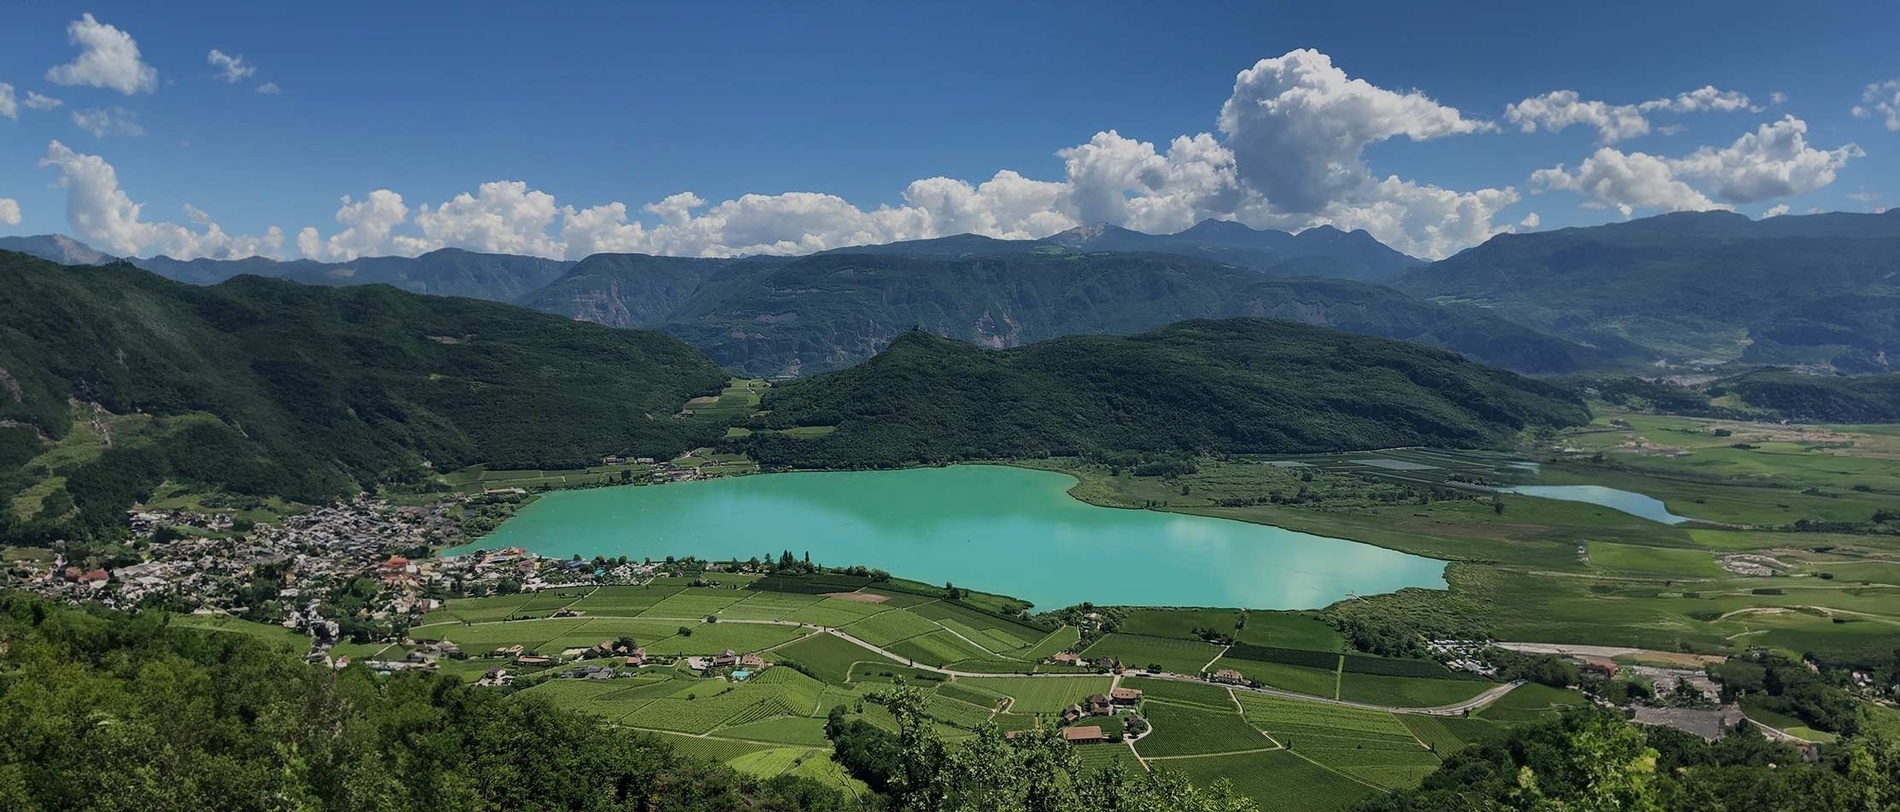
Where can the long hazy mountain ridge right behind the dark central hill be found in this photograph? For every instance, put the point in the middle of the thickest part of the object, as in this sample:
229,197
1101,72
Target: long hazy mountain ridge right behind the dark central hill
801,317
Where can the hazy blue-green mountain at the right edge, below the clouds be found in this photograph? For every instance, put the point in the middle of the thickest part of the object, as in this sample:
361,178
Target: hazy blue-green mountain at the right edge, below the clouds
1698,286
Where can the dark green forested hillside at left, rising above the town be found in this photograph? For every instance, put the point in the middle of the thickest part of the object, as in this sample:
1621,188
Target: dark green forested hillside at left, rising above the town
267,387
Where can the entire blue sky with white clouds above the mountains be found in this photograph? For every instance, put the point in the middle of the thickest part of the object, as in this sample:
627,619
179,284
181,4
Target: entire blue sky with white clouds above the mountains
1401,119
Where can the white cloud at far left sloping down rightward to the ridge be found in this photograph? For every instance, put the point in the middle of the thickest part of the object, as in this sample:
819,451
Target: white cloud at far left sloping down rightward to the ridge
102,214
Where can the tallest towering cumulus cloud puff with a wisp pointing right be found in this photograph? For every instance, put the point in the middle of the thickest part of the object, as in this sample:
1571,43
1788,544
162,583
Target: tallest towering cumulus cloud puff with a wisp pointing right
1299,128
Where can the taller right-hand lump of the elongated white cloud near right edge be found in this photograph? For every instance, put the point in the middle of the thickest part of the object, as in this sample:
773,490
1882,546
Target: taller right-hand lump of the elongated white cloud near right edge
1772,163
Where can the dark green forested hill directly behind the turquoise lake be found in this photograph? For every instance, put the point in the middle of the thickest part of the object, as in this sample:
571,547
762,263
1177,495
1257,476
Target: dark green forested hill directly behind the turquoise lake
1198,387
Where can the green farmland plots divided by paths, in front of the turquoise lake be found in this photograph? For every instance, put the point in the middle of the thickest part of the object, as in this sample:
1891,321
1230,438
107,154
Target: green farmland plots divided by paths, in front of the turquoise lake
837,646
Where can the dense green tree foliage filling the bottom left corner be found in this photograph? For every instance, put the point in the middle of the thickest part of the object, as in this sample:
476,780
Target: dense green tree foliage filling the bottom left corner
124,712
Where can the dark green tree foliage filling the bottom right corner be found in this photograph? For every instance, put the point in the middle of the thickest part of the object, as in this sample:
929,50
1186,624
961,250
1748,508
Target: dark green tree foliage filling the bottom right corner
1595,762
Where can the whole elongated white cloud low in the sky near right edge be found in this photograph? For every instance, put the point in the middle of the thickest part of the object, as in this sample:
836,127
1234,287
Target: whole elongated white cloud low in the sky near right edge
1772,163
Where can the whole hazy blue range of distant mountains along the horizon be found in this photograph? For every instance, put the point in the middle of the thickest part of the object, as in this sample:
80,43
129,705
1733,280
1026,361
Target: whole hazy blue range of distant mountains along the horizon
1688,288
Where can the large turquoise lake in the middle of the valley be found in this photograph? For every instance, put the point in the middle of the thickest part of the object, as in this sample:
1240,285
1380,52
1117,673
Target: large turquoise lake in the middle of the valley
987,528
